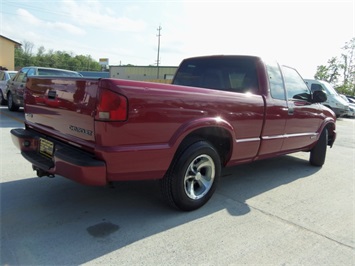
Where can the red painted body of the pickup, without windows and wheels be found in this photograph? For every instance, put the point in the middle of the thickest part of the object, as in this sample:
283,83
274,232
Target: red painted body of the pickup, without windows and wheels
159,118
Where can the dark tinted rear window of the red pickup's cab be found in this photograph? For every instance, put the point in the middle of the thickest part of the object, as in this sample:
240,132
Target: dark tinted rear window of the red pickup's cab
229,74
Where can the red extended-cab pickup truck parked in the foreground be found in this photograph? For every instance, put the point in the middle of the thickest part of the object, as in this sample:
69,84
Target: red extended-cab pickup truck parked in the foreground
220,111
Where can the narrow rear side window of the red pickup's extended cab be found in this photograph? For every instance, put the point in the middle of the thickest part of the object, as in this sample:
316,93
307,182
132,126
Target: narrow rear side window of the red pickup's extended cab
277,90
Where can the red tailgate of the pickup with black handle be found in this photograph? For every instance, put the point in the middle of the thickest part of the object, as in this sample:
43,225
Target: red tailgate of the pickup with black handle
71,102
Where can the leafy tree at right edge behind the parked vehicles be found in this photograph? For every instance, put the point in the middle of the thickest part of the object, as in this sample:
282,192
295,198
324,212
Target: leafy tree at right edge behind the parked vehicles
340,71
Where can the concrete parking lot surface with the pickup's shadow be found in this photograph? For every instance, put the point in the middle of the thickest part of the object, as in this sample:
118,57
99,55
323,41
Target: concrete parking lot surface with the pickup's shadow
281,211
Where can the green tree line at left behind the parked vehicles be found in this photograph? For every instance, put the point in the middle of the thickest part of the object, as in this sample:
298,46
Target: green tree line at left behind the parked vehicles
56,59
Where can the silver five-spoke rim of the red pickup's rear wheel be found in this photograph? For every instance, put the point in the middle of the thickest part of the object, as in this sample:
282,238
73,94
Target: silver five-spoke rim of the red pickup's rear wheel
199,177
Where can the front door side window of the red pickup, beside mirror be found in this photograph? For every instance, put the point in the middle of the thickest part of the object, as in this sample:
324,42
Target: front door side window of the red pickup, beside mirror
295,86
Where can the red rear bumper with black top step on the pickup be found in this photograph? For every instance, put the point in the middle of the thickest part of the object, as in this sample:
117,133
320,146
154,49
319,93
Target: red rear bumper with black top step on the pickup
66,160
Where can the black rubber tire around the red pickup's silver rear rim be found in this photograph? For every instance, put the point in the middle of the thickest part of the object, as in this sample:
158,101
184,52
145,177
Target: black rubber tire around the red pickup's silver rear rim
172,185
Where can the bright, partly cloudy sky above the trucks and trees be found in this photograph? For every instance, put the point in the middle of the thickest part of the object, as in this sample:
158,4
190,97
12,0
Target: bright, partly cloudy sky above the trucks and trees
303,34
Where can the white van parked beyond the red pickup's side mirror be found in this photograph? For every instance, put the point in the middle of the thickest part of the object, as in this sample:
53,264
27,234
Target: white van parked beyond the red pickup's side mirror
336,103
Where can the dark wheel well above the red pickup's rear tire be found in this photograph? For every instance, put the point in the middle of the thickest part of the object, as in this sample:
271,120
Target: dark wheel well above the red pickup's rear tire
220,139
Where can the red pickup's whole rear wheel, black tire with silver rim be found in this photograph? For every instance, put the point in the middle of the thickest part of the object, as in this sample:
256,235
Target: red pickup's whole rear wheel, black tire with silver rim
192,177
